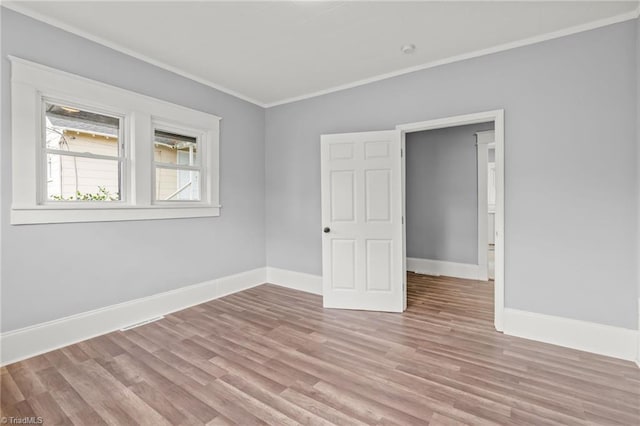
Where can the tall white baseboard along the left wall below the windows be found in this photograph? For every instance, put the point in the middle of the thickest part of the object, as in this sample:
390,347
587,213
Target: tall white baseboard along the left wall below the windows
40,338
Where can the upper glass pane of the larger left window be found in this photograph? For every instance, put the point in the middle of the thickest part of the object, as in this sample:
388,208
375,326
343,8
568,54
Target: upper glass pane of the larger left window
71,129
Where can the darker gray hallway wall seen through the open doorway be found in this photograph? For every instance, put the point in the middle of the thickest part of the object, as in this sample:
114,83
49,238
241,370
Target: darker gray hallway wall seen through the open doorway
442,194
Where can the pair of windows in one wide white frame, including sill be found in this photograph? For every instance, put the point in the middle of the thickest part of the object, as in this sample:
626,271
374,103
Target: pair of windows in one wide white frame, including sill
85,151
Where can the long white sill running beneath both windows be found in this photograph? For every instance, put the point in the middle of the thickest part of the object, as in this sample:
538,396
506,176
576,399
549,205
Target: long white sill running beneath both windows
46,214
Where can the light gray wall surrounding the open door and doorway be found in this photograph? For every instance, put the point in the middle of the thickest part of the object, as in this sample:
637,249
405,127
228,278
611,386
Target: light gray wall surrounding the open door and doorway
571,216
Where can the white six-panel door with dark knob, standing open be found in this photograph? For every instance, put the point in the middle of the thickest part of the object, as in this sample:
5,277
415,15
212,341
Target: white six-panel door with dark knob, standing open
362,260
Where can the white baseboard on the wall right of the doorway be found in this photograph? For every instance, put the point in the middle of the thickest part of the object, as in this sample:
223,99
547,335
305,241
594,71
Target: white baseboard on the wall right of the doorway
586,336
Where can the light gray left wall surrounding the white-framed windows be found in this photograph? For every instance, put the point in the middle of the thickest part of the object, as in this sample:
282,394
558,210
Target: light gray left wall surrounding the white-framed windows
51,271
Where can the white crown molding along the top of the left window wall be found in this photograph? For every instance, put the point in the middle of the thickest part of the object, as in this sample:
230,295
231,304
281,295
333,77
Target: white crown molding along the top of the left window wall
16,7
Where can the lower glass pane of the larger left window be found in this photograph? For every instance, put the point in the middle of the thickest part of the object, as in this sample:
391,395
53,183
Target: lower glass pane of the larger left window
82,179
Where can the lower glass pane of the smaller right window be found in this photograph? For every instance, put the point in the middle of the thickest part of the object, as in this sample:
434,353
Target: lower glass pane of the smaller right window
172,184
